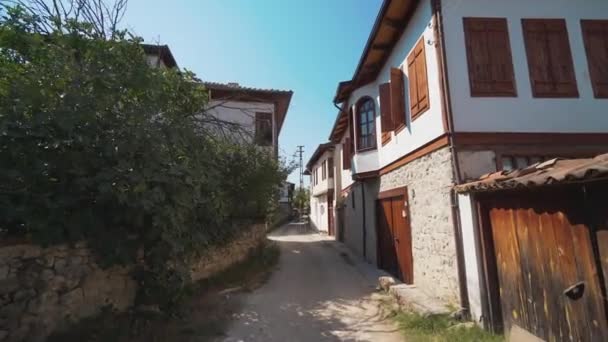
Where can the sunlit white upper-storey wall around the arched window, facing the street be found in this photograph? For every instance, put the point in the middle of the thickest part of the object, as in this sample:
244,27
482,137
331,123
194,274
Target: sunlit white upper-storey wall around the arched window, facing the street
426,127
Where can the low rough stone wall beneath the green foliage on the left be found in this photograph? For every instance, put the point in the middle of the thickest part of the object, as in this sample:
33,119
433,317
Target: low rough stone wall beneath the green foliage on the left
44,289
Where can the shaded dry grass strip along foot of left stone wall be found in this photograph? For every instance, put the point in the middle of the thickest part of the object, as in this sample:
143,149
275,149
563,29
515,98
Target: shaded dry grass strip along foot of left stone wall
202,316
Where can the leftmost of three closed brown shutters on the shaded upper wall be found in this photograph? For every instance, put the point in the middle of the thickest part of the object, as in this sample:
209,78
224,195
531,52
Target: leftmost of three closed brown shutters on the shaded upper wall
489,57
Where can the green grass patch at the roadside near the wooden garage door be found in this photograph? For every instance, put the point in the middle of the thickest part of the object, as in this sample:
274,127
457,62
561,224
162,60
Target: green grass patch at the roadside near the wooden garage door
440,328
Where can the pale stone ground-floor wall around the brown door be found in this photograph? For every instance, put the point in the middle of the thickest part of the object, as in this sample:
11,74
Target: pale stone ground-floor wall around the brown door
429,180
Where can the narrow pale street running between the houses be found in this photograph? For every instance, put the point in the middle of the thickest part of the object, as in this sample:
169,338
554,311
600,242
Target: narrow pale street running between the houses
318,293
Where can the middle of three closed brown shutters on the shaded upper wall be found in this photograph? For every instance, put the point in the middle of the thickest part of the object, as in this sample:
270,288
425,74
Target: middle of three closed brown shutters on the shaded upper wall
549,58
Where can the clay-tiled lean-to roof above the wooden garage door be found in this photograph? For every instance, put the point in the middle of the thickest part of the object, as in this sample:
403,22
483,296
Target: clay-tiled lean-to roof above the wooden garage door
554,171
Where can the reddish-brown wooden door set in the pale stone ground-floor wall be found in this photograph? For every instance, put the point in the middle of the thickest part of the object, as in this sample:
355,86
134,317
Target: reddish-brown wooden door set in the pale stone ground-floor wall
395,238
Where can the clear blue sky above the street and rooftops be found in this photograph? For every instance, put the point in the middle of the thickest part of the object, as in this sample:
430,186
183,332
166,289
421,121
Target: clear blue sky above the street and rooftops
307,46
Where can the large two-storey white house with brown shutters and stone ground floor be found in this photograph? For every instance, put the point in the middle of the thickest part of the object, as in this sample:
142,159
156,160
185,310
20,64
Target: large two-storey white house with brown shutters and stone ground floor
444,92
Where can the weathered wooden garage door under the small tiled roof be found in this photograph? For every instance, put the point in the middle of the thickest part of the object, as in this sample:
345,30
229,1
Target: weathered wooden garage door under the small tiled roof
548,275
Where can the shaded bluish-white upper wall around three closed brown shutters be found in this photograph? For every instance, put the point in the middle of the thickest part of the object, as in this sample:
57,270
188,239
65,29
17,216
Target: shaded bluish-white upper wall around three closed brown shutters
523,113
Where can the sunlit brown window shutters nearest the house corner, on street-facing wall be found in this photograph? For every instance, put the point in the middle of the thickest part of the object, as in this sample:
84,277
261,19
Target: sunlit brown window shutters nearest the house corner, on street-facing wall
418,80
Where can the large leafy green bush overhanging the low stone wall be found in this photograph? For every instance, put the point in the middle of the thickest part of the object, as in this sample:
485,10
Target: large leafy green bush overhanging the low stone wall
97,145
